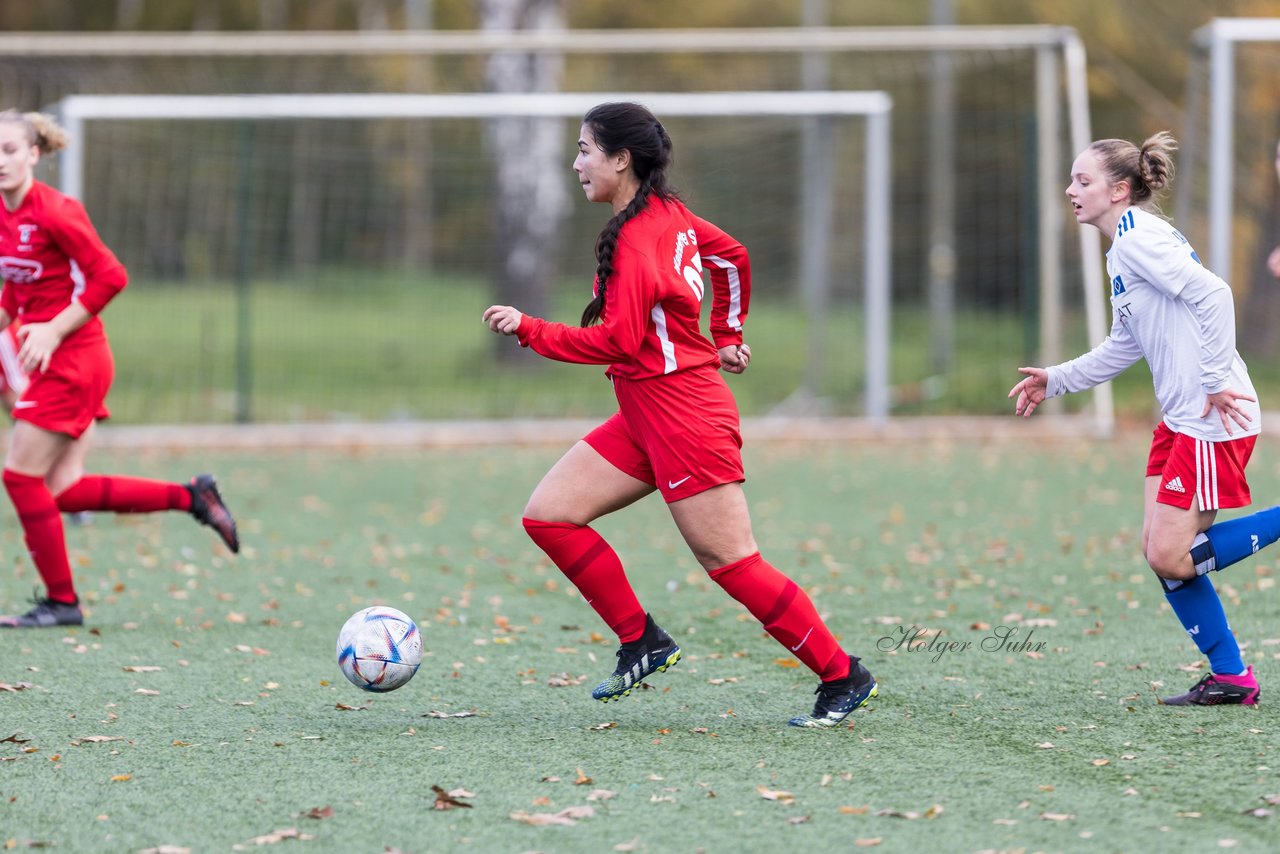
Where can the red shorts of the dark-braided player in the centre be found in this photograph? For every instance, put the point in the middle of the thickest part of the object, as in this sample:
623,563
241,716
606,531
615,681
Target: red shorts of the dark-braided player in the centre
679,433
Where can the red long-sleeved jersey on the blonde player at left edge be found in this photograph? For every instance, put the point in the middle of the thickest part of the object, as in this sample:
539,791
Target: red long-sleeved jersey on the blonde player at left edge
51,254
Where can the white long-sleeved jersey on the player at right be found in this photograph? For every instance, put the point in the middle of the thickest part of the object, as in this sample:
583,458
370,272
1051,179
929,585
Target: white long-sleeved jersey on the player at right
1171,310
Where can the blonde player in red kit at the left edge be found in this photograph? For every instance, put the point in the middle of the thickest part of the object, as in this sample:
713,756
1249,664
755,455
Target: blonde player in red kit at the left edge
58,276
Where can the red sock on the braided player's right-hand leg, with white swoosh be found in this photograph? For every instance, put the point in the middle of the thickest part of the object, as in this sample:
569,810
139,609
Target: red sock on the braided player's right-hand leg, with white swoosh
787,613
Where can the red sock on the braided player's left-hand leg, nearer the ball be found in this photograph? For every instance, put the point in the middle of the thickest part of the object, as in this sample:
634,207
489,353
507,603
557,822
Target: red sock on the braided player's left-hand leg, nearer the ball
596,570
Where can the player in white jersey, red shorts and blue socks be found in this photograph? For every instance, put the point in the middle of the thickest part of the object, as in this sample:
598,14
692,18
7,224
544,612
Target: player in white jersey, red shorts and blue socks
1178,316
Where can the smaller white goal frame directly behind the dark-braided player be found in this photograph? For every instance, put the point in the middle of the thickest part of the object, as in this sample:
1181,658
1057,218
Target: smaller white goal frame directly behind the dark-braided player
875,108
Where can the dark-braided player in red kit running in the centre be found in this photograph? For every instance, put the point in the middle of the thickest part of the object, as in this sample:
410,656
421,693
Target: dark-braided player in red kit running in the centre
676,430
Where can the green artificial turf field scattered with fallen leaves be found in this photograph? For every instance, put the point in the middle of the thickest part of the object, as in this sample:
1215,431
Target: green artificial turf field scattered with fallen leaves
202,707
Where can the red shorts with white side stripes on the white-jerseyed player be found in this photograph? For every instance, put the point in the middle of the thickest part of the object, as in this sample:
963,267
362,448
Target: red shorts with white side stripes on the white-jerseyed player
1213,473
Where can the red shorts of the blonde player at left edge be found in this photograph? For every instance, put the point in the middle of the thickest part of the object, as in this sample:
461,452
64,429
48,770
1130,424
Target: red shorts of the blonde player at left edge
72,394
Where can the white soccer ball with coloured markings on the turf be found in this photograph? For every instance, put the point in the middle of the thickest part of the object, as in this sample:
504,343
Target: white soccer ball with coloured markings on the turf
380,649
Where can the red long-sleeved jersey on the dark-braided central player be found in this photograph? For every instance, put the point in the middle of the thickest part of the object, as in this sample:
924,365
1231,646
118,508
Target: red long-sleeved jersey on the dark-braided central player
651,325
